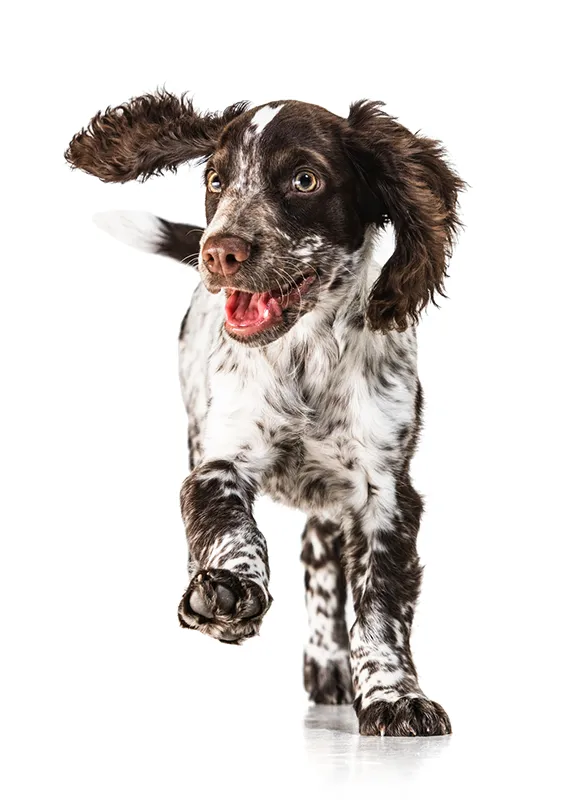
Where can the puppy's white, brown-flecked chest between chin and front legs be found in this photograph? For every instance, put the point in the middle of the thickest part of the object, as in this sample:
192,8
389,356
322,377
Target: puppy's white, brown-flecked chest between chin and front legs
316,421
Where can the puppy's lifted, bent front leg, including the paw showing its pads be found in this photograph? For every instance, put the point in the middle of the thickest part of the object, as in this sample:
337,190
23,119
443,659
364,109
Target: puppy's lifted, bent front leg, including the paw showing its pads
228,593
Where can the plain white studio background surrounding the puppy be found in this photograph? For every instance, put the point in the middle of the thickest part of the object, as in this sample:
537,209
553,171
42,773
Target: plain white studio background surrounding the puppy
103,694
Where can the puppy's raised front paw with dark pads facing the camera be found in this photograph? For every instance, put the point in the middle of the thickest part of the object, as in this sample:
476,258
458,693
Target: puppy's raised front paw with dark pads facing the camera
223,605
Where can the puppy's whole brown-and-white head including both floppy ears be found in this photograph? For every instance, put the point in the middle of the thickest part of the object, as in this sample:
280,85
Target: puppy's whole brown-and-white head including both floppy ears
291,191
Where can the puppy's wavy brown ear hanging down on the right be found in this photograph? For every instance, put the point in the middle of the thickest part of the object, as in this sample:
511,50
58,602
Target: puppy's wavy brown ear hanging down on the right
407,180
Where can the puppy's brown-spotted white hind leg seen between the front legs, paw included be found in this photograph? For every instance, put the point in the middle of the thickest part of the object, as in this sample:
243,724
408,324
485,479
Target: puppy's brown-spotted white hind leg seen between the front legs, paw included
327,675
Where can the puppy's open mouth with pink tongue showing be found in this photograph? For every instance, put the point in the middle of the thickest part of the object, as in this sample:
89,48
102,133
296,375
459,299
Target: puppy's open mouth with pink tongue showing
248,313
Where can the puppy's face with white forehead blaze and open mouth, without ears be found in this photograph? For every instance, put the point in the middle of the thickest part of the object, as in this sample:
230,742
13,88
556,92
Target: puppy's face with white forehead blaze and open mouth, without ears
284,216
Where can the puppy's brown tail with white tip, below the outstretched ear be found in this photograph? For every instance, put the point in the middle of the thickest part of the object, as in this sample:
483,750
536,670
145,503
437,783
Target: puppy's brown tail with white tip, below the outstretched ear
152,234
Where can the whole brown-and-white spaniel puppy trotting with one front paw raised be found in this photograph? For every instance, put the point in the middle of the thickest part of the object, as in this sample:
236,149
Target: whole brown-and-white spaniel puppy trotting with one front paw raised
298,367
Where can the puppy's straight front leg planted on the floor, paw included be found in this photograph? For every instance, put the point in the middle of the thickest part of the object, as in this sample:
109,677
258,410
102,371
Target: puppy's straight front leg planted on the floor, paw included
384,572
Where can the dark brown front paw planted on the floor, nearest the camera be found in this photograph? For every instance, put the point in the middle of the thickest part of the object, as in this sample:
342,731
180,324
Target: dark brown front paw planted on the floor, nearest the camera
407,716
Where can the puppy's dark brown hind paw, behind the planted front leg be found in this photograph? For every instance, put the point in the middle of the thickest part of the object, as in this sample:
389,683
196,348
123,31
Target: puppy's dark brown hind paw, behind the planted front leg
328,679
